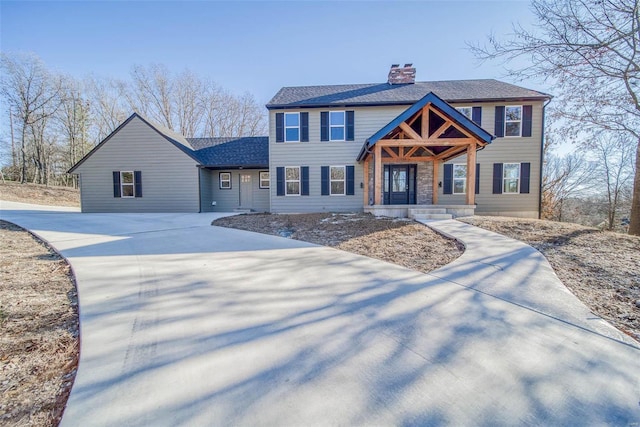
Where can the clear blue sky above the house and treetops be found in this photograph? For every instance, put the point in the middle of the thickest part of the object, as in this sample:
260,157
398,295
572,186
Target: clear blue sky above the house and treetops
261,46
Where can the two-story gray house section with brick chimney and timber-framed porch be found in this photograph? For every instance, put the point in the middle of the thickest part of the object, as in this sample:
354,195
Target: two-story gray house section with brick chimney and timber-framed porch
385,147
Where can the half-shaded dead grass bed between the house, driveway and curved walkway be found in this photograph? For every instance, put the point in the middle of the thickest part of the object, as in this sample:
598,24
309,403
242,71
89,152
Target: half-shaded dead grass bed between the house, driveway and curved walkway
399,241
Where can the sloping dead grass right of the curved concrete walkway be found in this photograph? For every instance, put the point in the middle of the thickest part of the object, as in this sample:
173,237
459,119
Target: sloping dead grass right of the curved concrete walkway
601,268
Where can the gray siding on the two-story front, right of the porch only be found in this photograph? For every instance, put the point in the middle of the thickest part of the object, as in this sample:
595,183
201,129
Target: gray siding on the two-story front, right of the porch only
504,150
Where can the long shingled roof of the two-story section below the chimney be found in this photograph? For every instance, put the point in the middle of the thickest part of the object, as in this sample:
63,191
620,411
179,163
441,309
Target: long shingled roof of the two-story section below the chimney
400,94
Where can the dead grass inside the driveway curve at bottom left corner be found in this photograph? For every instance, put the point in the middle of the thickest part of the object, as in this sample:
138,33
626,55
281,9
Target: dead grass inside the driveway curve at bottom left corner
39,330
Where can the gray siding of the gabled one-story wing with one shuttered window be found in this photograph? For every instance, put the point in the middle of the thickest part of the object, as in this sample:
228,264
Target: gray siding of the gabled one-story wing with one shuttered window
169,176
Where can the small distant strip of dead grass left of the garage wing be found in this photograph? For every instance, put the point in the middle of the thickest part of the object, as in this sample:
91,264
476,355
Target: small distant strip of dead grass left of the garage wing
39,194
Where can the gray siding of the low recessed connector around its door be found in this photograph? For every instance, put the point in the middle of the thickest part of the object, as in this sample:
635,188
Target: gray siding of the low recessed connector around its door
229,199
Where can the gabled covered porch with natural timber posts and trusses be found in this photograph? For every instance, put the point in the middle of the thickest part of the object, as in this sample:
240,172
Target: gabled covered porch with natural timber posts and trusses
401,162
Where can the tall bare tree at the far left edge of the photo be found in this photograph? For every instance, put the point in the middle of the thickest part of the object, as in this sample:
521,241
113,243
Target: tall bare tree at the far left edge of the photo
33,94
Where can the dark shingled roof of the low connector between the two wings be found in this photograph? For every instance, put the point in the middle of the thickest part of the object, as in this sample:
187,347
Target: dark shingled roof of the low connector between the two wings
223,153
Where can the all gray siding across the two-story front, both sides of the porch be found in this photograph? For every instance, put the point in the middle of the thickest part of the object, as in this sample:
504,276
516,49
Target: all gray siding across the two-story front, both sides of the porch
368,120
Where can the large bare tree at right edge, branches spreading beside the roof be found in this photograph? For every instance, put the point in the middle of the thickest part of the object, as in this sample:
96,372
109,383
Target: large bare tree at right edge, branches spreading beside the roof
589,51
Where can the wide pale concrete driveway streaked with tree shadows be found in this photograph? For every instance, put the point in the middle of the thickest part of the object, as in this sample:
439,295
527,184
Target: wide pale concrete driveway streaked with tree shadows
187,324
